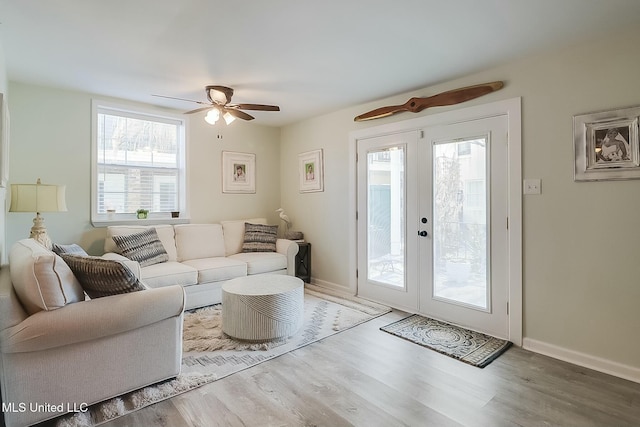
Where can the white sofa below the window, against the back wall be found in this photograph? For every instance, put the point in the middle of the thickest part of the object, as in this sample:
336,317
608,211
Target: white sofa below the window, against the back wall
203,256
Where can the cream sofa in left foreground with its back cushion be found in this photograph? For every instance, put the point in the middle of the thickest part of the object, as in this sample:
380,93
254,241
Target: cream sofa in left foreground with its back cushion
60,352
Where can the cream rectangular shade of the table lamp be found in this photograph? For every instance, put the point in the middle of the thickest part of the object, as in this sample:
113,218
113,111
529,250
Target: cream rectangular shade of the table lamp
37,198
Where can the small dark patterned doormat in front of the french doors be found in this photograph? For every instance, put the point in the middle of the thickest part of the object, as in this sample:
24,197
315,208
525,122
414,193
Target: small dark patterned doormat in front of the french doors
462,344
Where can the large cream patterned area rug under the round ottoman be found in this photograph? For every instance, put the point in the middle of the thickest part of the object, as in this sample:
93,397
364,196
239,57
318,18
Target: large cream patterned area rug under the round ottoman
209,354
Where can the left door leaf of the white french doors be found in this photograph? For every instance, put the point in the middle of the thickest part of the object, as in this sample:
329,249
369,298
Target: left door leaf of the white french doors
387,219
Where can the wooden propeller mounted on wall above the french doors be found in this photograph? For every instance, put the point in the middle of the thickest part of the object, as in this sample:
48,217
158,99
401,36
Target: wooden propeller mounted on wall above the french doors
415,105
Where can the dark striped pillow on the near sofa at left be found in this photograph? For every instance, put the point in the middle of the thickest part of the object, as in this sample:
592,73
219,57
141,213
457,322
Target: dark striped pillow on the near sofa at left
101,277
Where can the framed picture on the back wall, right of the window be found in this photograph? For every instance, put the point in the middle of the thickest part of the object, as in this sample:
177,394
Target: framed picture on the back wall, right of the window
238,172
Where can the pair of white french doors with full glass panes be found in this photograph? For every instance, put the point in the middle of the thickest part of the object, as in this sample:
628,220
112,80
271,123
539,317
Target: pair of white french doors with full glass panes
432,222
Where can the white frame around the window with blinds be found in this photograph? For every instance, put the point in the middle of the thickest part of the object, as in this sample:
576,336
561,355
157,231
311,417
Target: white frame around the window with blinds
154,218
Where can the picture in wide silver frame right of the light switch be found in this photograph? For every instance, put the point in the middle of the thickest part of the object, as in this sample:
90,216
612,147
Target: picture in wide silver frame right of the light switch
606,145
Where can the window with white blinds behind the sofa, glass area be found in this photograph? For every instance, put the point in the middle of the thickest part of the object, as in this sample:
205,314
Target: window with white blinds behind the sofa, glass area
138,163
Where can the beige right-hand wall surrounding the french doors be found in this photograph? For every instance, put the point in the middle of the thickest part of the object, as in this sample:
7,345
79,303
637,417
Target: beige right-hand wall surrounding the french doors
581,269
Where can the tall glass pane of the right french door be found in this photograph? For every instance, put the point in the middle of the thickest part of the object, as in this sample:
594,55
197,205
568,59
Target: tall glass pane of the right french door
460,230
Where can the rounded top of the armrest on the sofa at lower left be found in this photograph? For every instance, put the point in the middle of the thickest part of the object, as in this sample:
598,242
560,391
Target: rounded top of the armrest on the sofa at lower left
93,319
